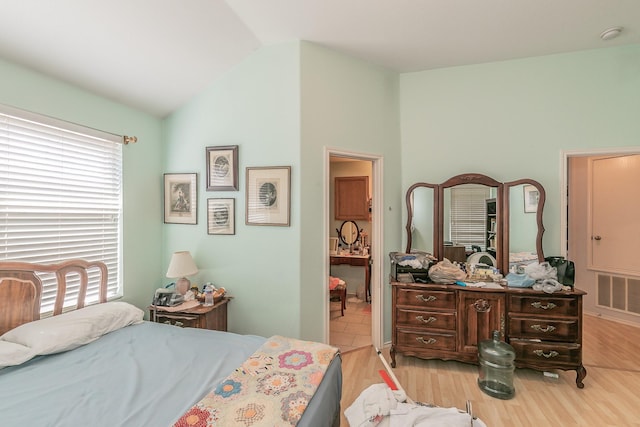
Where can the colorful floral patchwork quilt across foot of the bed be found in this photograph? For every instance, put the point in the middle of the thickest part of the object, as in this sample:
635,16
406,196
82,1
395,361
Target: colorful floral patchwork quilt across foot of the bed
272,387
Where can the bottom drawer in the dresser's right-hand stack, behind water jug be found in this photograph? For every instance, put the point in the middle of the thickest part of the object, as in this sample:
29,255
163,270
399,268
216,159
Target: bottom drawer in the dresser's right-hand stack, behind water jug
546,352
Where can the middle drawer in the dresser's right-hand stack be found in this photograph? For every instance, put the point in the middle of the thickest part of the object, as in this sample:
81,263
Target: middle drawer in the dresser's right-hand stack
544,329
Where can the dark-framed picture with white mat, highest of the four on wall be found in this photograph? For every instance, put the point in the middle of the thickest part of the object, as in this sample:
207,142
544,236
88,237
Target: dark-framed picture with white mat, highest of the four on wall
222,168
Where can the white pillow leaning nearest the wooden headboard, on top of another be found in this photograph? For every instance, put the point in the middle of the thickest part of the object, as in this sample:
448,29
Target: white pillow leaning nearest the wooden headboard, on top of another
75,328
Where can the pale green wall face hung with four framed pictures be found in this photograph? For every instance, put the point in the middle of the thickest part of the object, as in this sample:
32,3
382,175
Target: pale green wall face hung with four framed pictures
256,106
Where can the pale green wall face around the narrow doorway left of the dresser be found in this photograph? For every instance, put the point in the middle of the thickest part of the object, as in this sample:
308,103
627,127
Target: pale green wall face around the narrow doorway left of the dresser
350,105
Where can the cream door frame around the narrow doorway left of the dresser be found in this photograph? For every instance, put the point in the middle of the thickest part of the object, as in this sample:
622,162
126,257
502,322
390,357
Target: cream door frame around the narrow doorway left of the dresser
377,239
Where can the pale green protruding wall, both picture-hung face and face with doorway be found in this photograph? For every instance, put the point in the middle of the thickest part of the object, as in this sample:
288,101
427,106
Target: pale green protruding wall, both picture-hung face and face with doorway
281,106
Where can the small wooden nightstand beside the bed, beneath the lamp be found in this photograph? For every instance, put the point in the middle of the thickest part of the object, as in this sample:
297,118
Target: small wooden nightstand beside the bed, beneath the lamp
213,317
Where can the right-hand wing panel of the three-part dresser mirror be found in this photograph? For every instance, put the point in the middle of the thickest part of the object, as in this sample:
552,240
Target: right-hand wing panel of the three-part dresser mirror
523,229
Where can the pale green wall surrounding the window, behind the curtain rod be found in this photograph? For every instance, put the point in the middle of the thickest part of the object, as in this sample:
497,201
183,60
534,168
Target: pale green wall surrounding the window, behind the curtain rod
142,230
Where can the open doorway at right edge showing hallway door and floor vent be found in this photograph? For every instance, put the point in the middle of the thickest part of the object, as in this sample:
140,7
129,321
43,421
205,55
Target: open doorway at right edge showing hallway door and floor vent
593,221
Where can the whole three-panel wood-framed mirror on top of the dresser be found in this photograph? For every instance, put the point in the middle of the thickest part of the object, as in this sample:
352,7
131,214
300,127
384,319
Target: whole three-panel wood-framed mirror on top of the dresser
501,224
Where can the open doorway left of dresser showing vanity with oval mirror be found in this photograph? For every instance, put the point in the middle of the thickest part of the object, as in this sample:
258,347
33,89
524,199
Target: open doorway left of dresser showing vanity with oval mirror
352,319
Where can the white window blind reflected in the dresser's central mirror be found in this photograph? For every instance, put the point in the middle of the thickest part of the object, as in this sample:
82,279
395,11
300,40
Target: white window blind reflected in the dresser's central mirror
468,215
